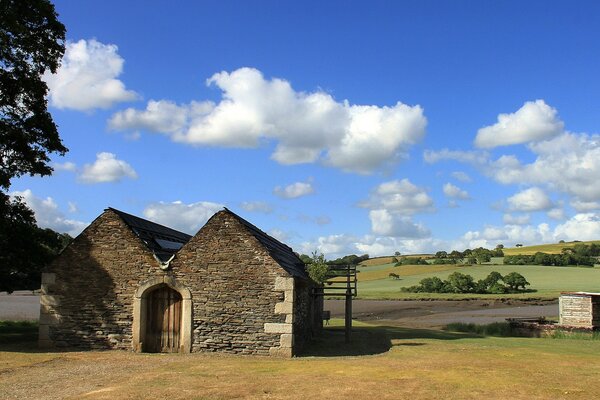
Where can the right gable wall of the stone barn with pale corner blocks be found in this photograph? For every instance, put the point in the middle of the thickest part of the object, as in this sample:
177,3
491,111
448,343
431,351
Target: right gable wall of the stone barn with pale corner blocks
236,287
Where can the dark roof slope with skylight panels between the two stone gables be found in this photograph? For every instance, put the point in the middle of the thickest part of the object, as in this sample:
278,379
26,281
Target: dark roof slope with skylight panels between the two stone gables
163,241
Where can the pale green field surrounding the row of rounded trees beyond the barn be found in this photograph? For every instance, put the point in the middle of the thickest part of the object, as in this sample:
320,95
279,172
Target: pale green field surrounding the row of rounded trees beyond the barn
374,282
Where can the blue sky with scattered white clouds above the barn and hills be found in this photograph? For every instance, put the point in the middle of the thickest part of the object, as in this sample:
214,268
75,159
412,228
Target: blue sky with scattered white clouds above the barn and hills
342,127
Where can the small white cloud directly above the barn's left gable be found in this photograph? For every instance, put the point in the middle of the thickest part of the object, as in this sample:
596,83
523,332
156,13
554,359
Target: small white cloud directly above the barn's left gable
106,168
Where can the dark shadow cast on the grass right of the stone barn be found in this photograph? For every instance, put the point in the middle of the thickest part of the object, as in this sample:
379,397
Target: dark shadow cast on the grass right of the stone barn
372,339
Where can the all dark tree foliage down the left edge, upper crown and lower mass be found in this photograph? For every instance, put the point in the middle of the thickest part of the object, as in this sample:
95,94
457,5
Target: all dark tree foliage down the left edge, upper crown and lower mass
31,43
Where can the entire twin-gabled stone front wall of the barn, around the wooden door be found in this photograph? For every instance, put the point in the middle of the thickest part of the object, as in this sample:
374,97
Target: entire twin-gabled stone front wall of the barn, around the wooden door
241,300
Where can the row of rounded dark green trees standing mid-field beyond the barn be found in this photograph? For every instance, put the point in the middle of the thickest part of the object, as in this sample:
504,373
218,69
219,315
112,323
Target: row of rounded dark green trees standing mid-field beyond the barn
458,282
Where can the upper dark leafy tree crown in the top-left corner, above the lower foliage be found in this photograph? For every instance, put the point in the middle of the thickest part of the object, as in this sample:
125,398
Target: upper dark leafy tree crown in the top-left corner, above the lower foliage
31,43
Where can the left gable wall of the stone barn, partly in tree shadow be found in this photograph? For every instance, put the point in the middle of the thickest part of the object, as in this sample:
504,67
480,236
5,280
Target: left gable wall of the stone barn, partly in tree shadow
87,293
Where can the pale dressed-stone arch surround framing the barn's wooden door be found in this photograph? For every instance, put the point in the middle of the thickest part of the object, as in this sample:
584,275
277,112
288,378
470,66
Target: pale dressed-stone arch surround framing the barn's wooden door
141,303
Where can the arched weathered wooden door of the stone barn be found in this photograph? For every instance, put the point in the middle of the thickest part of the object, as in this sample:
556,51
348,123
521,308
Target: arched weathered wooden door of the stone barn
163,321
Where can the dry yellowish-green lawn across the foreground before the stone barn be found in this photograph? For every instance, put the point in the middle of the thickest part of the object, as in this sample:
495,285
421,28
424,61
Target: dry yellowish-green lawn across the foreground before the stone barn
382,362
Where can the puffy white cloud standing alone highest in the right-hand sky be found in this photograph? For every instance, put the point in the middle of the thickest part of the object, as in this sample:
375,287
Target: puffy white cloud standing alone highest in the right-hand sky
534,121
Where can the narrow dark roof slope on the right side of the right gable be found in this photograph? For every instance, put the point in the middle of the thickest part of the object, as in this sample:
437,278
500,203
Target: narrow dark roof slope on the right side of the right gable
283,254
